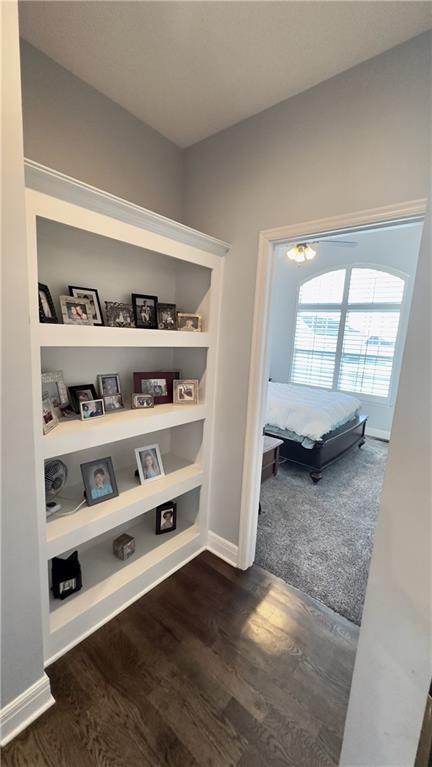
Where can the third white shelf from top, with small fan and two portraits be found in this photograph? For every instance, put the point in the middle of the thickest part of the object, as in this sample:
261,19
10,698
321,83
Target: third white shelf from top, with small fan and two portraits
134,499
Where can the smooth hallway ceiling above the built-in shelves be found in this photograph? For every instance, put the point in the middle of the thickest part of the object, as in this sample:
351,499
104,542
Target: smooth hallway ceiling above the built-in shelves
190,69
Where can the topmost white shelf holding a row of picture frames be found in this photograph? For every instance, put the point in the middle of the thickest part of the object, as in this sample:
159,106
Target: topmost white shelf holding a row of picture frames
83,335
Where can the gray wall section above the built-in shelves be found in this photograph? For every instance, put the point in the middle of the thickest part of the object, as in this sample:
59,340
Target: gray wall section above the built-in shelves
73,128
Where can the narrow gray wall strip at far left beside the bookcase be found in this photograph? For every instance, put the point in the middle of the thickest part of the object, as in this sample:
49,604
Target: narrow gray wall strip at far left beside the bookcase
21,619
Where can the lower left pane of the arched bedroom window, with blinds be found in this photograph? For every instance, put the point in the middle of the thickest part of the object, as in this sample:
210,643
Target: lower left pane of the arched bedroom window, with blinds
315,347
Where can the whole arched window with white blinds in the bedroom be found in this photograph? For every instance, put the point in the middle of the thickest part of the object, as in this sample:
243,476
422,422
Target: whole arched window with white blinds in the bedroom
346,330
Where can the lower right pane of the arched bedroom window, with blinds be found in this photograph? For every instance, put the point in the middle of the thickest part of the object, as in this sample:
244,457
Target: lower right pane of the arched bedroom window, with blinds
367,352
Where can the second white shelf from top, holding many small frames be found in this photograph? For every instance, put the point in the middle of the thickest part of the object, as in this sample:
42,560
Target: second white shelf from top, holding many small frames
73,435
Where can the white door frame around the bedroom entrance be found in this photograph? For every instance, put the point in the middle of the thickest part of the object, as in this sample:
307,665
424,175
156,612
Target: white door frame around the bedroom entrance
405,212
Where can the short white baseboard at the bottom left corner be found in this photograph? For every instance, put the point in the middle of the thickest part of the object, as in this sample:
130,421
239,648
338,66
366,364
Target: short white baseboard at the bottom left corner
24,709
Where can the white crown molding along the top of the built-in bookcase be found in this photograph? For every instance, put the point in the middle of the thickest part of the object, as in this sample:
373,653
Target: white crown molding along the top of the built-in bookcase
55,184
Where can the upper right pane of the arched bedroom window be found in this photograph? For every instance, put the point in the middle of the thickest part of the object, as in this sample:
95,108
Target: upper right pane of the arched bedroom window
373,287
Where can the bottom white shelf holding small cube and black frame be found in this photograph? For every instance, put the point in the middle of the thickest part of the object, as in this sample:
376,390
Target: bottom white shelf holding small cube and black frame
103,574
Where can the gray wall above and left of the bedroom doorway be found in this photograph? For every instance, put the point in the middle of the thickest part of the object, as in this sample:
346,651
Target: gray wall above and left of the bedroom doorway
357,141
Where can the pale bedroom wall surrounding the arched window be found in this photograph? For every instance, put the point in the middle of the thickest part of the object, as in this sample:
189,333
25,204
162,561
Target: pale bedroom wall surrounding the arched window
390,248
